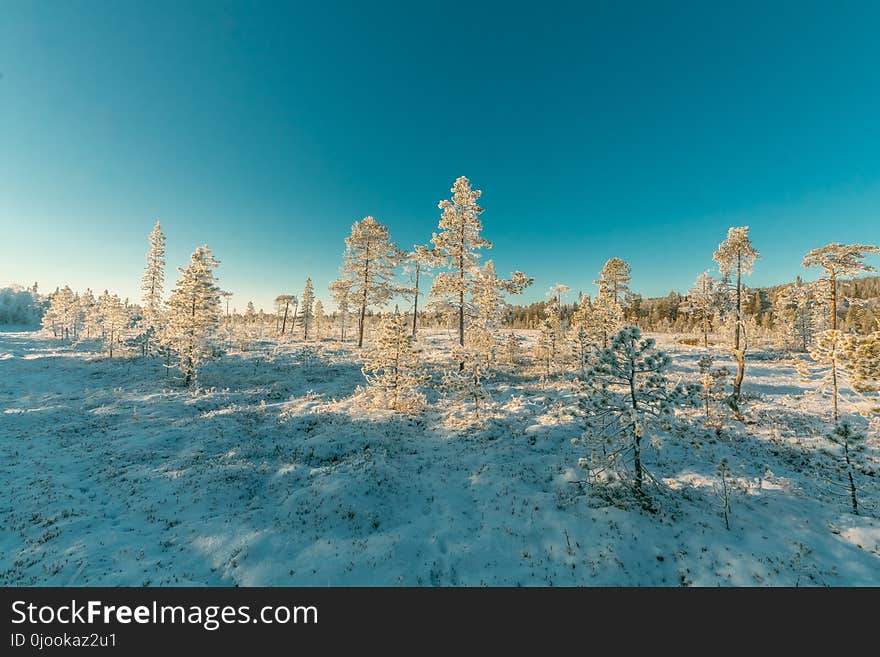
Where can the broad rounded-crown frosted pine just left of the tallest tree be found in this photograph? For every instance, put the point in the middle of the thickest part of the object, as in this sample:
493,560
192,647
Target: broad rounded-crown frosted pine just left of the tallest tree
371,259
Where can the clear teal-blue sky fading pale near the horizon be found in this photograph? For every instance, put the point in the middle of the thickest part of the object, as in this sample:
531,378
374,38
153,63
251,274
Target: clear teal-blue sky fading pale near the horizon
638,130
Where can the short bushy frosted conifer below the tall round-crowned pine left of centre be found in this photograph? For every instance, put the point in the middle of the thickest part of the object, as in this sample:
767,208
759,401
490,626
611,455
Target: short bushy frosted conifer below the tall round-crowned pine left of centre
392,368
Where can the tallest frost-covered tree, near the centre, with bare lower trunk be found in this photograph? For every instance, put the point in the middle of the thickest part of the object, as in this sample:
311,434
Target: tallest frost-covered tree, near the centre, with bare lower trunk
458,243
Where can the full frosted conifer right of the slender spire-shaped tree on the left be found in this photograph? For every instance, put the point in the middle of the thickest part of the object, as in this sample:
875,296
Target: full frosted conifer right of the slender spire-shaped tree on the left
194,313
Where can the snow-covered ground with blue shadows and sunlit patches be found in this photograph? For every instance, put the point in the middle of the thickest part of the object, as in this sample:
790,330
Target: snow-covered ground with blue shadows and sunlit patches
272,474
